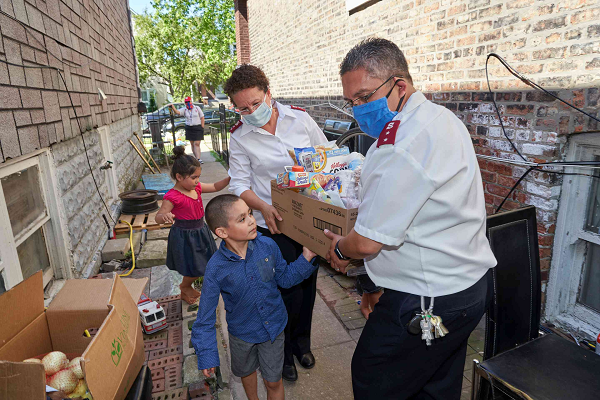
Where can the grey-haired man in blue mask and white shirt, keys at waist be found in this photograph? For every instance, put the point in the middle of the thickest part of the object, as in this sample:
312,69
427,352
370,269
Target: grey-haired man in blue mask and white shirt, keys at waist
420,229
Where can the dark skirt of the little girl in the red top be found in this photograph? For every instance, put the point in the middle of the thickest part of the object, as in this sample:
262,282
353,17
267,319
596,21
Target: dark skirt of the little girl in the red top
190,246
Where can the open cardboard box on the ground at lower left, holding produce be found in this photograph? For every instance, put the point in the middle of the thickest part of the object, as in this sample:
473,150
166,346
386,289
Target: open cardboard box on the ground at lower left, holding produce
111,359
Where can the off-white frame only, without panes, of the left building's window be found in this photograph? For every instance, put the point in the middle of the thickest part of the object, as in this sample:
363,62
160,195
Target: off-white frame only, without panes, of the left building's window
55,236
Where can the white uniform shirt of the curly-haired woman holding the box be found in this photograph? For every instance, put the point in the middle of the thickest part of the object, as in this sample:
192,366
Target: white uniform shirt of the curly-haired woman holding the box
256,156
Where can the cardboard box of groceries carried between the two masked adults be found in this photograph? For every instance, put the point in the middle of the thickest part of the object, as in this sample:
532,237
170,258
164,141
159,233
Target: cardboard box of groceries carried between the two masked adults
304,218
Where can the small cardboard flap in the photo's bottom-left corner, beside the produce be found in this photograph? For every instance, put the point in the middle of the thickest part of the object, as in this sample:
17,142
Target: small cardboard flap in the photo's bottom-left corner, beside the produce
22,381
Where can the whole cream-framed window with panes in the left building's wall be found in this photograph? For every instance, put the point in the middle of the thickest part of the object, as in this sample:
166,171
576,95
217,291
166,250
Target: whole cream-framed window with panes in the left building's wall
29,222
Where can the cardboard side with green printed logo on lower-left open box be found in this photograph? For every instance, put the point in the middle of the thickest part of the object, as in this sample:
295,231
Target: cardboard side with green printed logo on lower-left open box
118,344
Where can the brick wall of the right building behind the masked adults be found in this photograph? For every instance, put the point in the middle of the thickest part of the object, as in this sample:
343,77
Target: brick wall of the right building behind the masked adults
300,47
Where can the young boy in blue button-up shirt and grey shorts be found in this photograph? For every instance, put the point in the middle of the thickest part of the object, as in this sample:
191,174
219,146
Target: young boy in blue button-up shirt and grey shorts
246,271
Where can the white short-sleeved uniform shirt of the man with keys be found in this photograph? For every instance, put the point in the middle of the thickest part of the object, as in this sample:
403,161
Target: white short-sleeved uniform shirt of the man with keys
422,198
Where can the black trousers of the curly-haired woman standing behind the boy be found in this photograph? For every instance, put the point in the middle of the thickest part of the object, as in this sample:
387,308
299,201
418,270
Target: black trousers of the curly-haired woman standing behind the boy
299,301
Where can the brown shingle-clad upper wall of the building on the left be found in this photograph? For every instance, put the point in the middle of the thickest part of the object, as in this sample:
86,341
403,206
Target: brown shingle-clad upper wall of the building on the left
90,42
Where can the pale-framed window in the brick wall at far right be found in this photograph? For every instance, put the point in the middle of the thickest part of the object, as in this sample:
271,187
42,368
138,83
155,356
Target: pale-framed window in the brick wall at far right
574,285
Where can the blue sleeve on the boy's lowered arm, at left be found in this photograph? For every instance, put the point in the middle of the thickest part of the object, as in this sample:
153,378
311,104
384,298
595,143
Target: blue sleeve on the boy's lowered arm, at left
204,333
